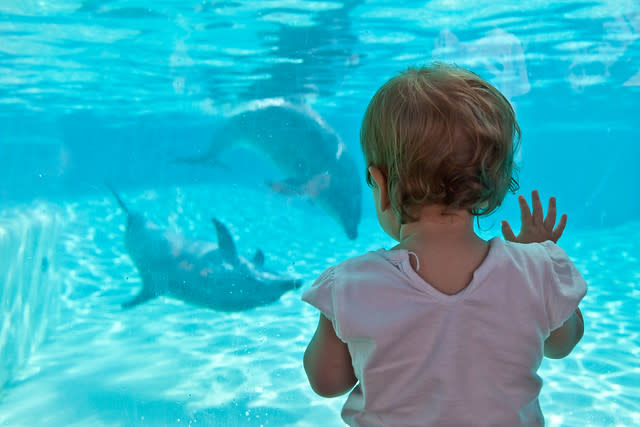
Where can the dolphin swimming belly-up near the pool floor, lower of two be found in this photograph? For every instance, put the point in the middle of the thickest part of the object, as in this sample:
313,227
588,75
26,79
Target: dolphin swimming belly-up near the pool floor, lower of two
198,272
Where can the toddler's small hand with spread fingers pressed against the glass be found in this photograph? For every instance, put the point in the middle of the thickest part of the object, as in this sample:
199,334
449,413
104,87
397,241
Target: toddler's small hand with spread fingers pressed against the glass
534,227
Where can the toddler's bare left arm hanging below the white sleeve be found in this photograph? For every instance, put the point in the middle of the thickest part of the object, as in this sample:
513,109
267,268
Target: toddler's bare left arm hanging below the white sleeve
327,362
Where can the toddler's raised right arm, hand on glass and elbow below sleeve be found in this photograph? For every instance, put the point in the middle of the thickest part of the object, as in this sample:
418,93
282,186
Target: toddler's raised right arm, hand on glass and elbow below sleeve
535,228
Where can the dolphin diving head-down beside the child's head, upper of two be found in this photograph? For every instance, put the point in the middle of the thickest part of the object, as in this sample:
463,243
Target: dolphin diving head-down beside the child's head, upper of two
303,147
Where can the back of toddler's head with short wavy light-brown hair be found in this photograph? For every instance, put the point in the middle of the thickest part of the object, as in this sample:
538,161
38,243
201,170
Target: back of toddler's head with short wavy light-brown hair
441,135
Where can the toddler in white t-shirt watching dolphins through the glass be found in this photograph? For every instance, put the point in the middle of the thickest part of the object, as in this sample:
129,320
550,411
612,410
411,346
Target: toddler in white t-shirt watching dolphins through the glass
444,329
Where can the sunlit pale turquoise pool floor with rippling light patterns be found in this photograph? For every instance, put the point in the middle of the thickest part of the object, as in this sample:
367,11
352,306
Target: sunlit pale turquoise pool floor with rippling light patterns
165,363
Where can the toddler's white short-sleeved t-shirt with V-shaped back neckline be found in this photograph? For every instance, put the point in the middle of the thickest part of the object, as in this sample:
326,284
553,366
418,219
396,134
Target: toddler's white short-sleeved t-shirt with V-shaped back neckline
424,358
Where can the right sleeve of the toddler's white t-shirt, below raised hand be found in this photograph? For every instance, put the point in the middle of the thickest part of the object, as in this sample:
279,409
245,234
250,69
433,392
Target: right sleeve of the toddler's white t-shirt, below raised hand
564,289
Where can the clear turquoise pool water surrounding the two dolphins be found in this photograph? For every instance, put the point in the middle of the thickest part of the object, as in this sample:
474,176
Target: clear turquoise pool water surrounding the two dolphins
108,91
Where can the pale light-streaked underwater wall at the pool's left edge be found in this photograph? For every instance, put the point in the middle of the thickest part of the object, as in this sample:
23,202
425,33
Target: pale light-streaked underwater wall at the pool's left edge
30,294
